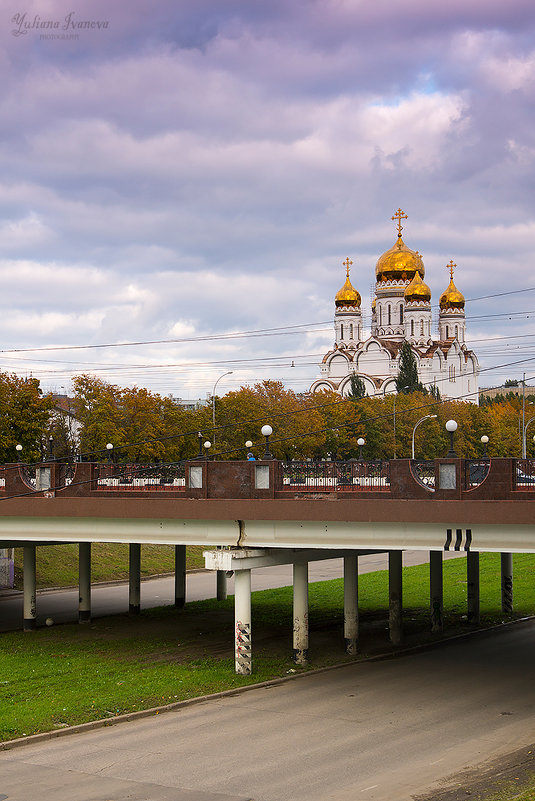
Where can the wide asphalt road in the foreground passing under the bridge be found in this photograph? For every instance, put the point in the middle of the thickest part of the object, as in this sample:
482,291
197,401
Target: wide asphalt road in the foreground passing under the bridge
376,731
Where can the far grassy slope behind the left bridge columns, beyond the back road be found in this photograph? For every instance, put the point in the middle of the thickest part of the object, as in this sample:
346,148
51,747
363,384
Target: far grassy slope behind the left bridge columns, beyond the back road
57,565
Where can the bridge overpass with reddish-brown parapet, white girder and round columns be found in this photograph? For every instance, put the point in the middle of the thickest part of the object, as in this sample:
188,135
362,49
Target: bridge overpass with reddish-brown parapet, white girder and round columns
267,512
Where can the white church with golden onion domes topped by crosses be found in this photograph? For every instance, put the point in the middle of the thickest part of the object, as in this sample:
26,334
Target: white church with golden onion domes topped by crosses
401,311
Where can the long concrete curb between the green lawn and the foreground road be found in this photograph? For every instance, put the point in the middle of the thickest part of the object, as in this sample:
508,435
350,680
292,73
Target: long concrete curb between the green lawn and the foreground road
81,728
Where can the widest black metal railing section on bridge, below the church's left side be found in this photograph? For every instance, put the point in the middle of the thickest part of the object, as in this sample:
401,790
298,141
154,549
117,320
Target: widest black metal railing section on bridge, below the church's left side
350,476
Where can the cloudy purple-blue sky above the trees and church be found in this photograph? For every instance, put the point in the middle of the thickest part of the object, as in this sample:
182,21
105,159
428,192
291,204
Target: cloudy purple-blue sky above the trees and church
192,174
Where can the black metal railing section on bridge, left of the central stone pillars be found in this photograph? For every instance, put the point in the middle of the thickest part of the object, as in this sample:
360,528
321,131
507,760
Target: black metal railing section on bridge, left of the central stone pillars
141,477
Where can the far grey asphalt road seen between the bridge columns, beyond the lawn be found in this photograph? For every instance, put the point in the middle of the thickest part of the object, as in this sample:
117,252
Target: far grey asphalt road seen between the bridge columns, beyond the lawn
110,599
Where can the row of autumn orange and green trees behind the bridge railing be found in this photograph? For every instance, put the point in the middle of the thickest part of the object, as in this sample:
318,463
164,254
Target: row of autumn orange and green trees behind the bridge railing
146,427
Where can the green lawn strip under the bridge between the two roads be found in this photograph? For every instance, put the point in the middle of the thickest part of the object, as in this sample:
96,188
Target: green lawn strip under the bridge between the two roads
69,674
